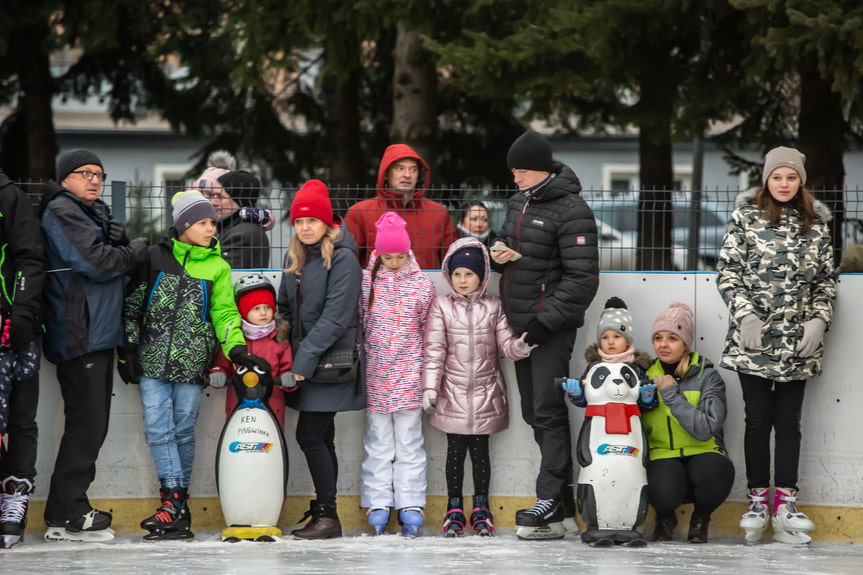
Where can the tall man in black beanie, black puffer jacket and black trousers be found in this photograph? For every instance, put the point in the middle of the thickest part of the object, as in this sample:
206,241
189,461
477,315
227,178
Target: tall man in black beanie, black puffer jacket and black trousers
547,252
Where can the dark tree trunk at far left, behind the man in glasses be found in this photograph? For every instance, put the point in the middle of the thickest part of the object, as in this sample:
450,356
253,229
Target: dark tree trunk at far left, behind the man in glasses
34,103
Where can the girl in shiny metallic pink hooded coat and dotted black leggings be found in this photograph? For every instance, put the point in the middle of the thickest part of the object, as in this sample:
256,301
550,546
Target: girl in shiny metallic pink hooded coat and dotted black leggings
463,386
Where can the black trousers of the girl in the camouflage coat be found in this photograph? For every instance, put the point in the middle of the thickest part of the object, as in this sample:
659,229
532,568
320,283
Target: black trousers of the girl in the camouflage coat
772,408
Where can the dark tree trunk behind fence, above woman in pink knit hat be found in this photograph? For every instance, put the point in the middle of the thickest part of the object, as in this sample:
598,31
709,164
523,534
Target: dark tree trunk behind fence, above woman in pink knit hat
655,172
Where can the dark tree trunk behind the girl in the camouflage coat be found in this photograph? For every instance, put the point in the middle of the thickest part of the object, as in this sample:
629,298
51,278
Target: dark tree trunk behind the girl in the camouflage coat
822,138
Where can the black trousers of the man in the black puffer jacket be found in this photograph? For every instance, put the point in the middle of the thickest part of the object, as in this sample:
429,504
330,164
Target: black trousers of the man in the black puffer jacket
543,408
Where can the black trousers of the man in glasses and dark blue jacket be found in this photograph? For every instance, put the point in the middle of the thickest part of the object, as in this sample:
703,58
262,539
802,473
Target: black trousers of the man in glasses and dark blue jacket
86,384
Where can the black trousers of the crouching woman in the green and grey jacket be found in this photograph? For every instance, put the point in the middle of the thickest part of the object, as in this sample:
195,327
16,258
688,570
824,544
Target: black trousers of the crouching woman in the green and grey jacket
704,479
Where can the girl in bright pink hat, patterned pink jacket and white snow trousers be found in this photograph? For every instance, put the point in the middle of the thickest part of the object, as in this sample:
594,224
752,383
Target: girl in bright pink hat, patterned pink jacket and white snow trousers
394,302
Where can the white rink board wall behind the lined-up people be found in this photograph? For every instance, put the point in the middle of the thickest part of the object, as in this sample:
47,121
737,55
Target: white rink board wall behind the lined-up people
831,459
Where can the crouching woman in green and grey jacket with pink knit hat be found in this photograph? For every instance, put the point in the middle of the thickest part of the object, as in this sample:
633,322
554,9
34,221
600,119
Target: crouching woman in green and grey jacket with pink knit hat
688,461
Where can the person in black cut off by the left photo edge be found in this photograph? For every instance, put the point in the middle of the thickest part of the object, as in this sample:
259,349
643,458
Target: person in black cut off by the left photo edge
22,270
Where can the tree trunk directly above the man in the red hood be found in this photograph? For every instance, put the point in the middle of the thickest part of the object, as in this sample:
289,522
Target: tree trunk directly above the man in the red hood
414,88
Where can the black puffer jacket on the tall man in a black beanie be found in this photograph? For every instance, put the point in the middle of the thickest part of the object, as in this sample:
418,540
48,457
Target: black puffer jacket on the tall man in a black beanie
558,274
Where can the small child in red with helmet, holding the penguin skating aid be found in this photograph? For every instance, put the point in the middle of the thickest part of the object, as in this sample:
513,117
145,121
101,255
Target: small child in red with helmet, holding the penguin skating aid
267,336
